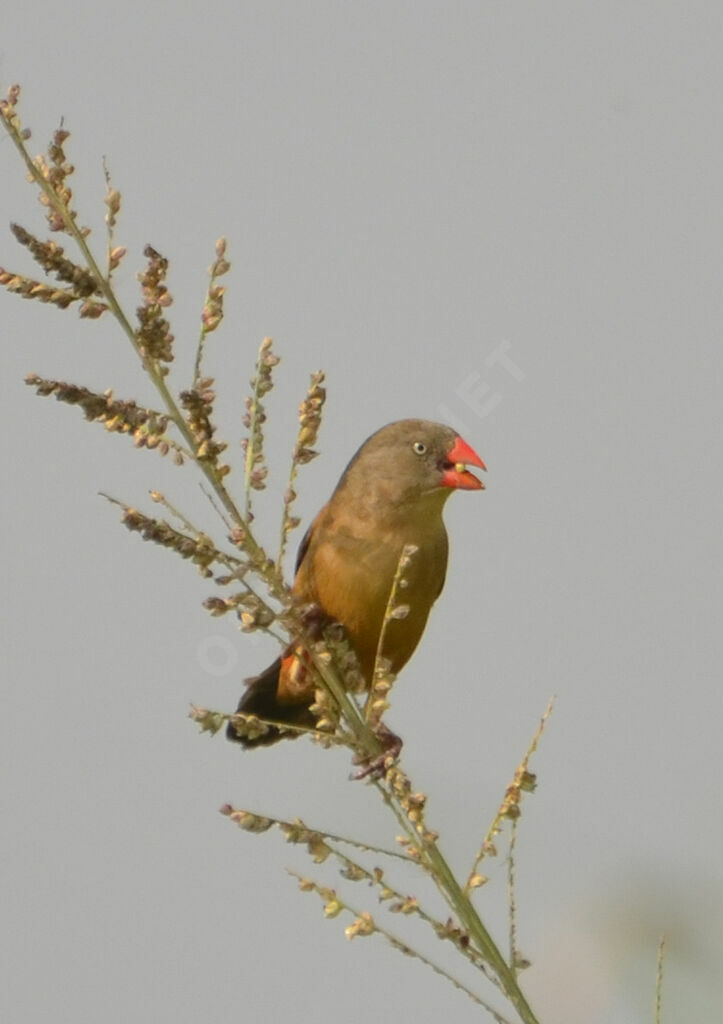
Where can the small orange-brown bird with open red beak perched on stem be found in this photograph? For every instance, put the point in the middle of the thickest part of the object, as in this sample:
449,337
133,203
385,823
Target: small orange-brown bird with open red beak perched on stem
391,495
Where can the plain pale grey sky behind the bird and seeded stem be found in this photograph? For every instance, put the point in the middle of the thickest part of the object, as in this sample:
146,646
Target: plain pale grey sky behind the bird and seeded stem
406,188
